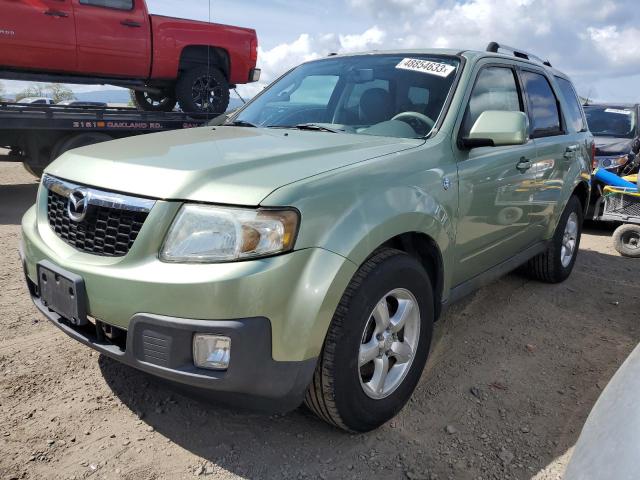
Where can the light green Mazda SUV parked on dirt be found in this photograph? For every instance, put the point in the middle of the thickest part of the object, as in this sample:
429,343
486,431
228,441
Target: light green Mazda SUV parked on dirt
302,248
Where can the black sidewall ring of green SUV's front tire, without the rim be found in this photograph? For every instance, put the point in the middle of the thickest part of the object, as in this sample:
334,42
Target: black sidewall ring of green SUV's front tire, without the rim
359,411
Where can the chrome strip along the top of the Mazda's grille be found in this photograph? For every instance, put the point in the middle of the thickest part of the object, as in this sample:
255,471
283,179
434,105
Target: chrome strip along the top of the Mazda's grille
99,198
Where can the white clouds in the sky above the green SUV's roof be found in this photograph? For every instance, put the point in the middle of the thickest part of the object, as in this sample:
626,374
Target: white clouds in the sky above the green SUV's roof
588,39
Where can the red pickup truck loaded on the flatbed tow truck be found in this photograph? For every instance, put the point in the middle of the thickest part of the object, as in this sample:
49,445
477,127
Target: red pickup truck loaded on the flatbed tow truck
162,60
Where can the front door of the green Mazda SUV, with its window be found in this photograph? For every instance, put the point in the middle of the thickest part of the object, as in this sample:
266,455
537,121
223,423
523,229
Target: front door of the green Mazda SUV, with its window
495,183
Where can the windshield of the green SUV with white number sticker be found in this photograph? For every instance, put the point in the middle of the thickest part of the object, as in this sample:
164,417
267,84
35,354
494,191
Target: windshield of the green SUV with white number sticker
386,95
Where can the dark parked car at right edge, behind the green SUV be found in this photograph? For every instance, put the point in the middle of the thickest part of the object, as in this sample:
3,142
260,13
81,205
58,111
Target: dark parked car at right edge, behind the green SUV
616,131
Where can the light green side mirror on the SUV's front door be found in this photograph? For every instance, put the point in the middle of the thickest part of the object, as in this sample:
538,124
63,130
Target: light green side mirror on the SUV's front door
496,128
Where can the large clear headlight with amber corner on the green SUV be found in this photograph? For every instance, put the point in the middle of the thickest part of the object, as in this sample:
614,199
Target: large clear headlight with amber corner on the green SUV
208,234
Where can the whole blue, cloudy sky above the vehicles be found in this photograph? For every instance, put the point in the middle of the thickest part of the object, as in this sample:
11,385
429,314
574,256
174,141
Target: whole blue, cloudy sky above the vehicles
597,42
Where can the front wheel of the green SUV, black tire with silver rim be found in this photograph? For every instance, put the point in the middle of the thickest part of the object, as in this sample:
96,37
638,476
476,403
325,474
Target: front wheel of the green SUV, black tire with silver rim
340,392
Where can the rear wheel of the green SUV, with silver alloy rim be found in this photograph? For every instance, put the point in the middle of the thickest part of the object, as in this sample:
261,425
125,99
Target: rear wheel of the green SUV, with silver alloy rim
552,266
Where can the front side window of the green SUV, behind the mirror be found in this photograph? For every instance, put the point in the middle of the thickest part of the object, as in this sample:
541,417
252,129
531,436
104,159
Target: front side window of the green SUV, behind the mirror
495,89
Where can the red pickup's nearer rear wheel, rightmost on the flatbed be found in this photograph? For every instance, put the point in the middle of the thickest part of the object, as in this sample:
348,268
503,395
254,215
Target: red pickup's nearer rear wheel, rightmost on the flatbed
203,91
